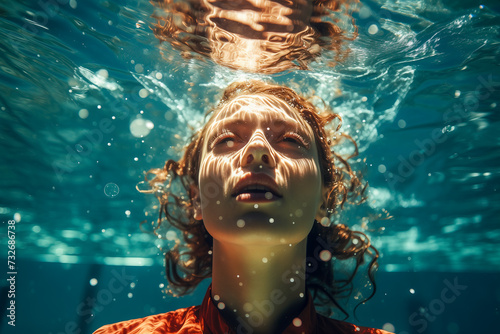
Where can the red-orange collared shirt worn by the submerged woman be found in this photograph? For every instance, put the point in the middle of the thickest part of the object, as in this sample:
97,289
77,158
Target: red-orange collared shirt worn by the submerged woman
207,319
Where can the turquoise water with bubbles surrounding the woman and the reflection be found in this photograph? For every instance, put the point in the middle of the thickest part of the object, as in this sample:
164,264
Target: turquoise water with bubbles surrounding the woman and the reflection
88,102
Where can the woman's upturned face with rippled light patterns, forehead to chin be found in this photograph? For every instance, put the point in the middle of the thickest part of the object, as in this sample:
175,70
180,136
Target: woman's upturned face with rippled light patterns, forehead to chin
259,179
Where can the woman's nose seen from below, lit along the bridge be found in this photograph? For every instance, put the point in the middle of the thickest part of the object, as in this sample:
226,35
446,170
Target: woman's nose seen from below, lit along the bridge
258,151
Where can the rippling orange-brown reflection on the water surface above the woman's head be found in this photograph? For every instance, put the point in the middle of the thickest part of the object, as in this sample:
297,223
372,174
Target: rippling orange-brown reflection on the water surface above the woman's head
257,35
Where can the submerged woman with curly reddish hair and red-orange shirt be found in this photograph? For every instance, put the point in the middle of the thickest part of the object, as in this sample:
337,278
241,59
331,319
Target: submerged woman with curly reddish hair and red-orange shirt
263,183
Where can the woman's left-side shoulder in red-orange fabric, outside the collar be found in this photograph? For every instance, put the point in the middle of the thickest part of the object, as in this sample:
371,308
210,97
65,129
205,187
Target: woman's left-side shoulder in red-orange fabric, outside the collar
185,320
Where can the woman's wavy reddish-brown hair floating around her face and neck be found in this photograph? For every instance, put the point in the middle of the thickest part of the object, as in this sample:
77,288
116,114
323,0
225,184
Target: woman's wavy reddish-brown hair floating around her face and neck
189,263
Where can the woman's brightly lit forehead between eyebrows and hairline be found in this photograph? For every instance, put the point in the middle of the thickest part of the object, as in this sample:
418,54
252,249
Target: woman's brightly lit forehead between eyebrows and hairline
263,109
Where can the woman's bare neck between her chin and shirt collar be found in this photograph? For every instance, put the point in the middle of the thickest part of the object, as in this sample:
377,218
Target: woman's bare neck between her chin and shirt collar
259,288
